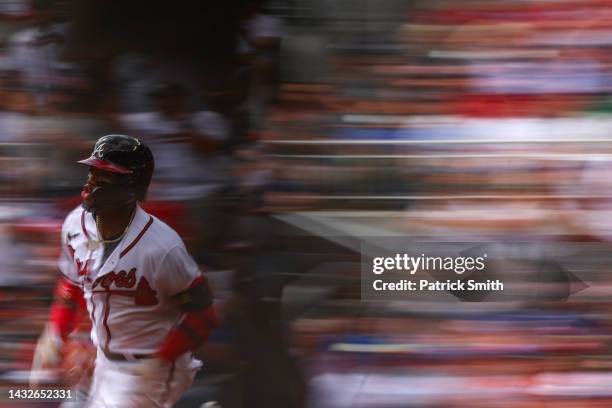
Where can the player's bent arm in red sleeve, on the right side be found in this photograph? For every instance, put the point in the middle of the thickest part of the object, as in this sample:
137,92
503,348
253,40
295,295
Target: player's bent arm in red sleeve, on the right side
198,319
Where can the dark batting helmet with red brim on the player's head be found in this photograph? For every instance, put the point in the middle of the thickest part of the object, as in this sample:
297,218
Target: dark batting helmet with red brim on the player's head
128,157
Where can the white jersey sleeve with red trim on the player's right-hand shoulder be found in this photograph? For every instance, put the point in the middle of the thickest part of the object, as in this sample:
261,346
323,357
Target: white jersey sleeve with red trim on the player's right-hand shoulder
176,271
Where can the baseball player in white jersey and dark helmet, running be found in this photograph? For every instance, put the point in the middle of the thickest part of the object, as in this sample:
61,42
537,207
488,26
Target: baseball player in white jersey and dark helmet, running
148,302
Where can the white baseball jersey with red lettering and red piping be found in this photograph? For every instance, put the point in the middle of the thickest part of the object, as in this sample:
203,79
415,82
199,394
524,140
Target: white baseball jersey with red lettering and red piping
128,295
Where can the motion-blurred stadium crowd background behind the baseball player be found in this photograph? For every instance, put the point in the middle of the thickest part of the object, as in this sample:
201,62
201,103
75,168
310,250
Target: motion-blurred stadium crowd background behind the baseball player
288,132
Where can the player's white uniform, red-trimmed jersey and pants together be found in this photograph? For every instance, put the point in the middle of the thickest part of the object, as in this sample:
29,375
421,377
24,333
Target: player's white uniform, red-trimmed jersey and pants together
129,302
